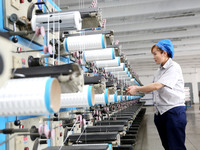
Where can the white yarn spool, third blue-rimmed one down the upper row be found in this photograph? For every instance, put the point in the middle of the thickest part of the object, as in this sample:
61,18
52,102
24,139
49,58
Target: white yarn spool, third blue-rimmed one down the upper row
108,63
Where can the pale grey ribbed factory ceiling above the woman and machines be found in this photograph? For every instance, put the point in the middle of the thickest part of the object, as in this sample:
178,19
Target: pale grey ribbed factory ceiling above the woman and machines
139,24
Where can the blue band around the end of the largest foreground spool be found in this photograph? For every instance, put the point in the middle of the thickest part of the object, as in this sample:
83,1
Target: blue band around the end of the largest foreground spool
47,95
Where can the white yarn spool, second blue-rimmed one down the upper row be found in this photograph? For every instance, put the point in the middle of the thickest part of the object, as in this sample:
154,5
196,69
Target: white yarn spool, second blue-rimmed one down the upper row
103,54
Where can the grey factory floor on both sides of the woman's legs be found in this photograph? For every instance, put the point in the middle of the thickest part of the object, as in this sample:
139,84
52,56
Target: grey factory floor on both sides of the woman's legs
148,138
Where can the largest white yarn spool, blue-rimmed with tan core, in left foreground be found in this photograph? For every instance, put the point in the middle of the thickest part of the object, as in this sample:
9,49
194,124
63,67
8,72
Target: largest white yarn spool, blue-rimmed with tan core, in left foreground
30,96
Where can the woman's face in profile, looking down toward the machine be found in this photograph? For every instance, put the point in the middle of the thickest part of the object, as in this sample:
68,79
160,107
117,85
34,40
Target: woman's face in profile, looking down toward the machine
158,57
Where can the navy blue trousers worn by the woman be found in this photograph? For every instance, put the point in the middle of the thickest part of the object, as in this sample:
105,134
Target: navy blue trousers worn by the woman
171,128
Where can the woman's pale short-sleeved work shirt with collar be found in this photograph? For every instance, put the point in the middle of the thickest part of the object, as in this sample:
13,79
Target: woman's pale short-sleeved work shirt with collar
172,94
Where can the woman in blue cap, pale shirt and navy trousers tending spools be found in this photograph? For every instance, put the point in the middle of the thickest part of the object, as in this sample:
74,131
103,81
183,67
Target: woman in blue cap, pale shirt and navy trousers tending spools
168,97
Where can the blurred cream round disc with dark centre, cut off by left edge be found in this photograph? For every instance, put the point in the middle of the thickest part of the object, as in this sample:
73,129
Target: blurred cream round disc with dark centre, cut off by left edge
5,60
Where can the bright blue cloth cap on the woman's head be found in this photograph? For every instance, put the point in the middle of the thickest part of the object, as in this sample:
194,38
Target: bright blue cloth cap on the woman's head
166,45
